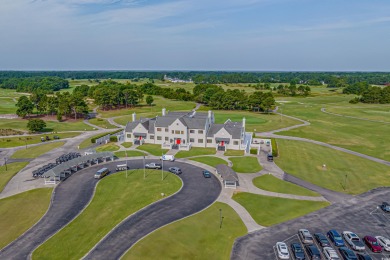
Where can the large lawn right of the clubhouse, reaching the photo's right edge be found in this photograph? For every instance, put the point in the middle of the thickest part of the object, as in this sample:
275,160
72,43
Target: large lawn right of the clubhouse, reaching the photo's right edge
305,160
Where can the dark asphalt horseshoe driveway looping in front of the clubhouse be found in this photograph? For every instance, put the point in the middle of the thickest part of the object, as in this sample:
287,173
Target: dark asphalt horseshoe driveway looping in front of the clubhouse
72,195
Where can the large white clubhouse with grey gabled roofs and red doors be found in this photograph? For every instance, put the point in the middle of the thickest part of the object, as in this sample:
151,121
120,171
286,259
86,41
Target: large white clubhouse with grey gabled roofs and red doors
183,130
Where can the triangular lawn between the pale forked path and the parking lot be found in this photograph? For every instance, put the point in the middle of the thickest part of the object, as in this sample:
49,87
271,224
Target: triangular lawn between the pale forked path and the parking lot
278,210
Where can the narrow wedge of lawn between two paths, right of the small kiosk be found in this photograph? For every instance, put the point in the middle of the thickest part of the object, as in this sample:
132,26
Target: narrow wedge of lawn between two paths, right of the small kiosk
271,183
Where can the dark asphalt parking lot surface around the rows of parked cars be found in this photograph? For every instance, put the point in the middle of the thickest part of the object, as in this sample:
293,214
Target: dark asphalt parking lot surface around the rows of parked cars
360,215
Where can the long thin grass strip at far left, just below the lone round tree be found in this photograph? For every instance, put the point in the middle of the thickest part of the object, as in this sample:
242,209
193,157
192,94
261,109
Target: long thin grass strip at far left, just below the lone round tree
31,139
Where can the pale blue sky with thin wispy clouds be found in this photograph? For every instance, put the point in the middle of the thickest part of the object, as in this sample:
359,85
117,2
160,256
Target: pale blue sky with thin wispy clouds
243,35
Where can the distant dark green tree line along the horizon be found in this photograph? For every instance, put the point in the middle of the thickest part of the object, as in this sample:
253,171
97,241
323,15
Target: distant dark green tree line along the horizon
332,79
